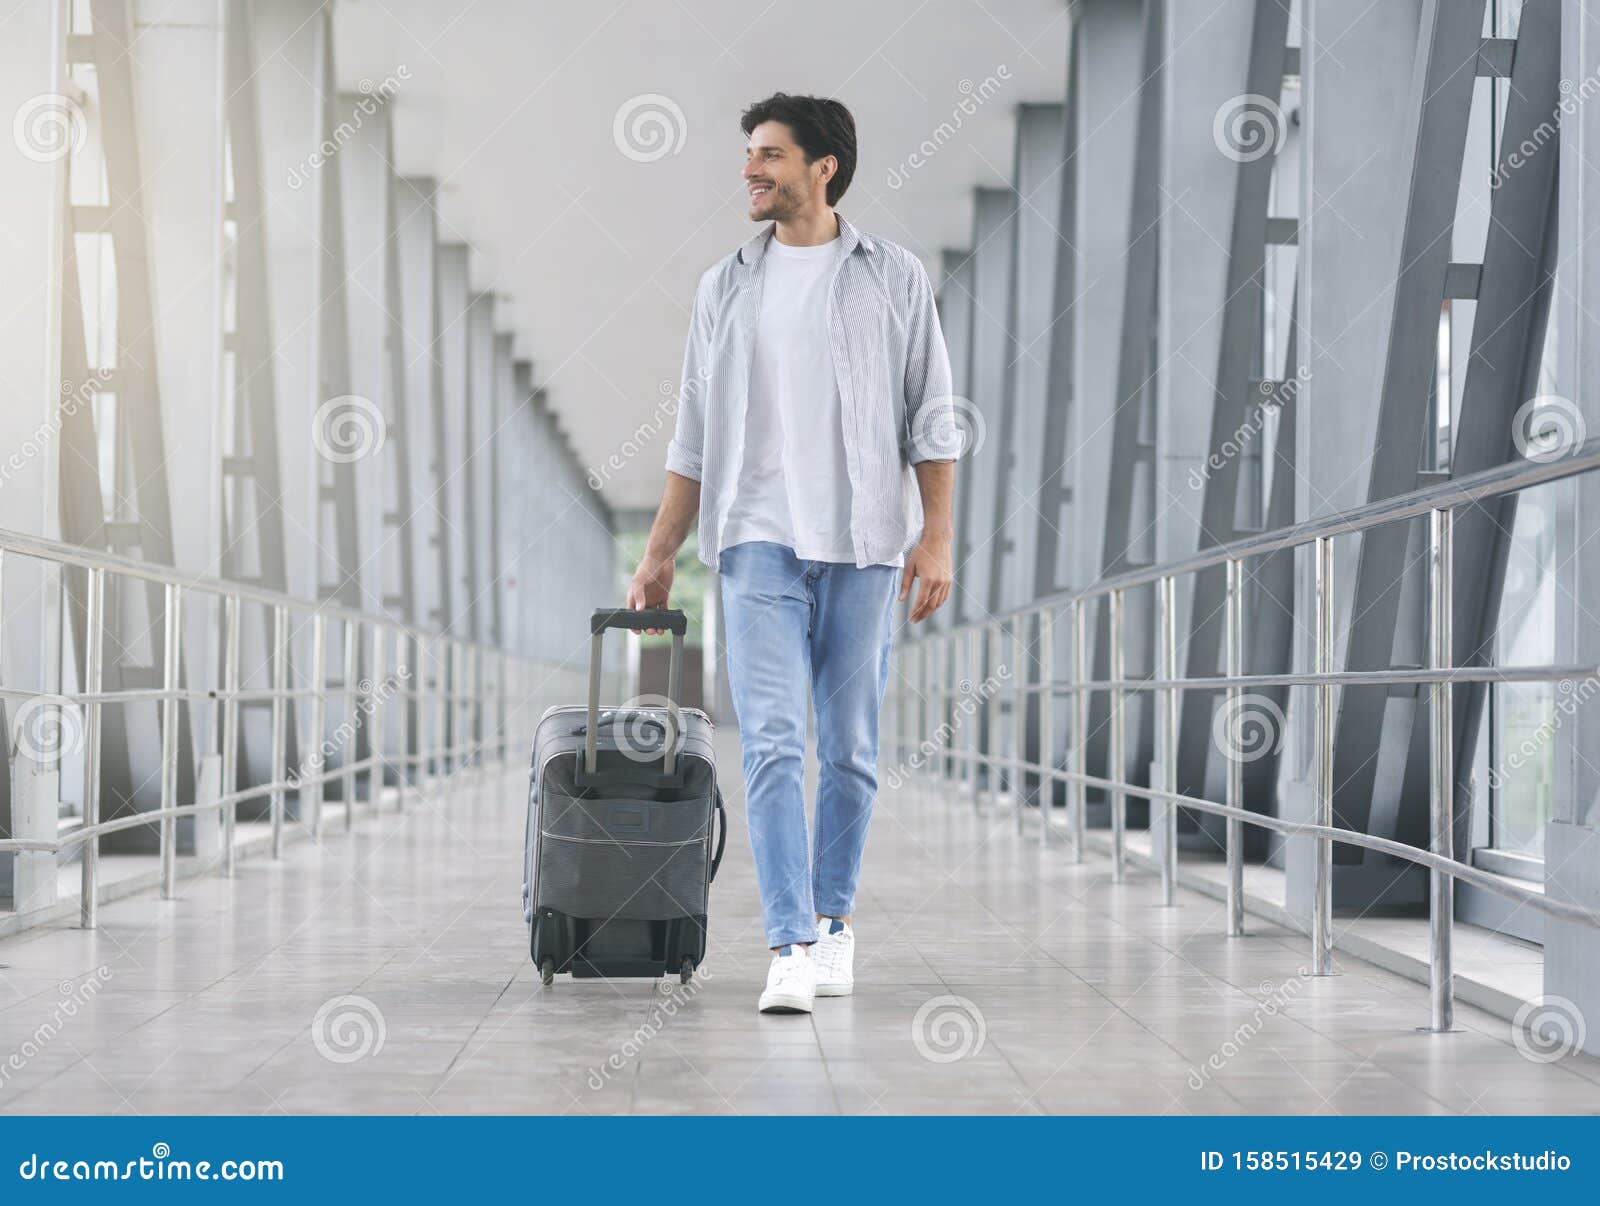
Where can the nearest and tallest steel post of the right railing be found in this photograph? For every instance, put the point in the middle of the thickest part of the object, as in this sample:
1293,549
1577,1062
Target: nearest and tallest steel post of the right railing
1442,770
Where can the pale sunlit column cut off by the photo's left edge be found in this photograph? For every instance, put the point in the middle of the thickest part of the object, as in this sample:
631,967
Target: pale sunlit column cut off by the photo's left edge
33,210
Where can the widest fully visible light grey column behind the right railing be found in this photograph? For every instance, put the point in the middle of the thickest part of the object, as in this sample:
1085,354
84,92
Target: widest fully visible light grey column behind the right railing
1356,87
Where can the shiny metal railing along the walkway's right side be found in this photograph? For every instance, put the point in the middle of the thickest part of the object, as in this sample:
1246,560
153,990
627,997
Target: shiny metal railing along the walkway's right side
929,671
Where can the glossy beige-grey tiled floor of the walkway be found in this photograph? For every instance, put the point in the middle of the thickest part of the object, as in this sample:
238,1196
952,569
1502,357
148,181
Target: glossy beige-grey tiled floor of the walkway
993,978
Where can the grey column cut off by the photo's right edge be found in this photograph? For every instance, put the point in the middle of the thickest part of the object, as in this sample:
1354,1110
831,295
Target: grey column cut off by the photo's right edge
1572,954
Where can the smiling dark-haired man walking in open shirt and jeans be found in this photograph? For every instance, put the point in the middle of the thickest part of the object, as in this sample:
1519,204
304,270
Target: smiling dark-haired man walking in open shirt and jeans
815,449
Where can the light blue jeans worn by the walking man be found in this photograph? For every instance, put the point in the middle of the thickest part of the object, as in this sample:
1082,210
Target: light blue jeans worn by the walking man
793,625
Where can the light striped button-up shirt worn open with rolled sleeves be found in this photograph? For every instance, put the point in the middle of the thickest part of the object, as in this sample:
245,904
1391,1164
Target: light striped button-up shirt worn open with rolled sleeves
894,388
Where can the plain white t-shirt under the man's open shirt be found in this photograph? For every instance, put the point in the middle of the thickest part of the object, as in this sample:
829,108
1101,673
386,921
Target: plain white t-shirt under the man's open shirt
794,481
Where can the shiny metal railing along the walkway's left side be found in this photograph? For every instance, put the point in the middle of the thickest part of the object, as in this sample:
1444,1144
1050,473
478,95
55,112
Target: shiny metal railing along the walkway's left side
476,684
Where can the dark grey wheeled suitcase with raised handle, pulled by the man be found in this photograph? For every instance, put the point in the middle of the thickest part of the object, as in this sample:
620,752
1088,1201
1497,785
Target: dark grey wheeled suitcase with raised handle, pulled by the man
623,804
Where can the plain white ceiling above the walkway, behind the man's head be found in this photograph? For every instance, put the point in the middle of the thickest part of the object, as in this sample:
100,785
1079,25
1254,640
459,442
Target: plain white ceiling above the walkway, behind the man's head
596,255
